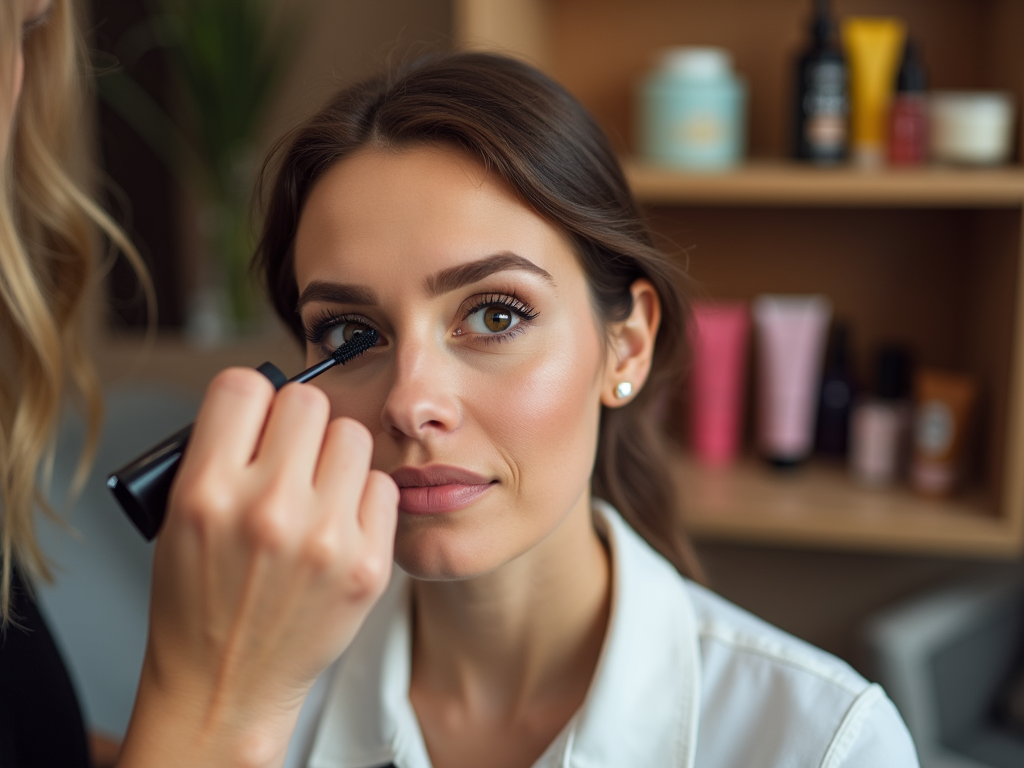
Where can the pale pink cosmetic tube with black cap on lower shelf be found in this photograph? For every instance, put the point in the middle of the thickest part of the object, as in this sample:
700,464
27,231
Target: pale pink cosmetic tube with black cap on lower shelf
791,338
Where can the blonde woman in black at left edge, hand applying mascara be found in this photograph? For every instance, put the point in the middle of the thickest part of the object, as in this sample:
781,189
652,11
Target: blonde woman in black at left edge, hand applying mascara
224,680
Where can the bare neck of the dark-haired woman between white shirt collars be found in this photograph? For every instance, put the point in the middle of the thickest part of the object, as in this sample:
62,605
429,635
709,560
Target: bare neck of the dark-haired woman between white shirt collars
525,635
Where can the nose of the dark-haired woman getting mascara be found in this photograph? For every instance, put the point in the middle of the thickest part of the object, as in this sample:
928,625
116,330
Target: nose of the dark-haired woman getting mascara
422,402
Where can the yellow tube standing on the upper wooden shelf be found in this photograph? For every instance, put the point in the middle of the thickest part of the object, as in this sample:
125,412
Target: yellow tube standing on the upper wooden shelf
873,48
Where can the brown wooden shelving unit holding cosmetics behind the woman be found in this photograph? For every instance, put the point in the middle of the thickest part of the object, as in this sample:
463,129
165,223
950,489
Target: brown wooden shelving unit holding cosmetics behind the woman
932,257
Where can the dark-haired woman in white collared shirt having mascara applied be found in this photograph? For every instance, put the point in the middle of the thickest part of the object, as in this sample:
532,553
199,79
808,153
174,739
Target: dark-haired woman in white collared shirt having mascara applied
470,210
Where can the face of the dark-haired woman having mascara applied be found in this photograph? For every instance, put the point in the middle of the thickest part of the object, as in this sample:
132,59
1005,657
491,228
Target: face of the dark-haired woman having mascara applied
484,395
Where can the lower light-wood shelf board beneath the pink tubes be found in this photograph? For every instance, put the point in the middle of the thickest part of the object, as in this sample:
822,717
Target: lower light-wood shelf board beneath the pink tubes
821,507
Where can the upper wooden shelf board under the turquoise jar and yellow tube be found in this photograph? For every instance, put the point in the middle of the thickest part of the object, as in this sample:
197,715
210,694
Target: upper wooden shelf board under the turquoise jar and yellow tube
782,184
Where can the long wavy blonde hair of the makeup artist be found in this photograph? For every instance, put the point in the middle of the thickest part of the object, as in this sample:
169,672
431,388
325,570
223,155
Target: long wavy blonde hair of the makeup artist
49,266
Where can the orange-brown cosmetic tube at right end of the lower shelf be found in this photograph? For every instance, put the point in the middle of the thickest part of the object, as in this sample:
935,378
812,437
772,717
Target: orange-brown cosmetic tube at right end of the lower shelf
945,406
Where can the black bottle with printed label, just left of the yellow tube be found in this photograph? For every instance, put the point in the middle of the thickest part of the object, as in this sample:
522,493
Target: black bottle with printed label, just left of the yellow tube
821,109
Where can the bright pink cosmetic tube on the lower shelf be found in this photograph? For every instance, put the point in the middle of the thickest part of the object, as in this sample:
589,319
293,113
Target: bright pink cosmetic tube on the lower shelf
720,336
